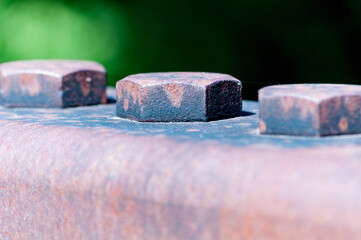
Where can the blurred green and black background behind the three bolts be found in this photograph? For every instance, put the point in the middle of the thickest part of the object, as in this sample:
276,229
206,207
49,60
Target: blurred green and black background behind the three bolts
260,42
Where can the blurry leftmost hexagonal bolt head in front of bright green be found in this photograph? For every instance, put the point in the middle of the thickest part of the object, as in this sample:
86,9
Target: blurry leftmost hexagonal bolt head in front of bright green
52,83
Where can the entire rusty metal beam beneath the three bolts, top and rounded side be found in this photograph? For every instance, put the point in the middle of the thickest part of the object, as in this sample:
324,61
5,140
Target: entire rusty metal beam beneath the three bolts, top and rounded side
82,173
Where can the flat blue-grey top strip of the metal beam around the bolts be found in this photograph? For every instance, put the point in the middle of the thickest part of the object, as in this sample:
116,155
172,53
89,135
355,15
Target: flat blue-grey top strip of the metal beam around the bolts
239,131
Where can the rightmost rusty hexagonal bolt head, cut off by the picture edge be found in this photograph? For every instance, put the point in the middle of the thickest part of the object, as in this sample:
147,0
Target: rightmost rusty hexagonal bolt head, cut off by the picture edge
310,109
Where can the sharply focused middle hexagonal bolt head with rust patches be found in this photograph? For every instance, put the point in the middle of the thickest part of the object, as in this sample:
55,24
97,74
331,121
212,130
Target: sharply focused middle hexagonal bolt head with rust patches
178,96
